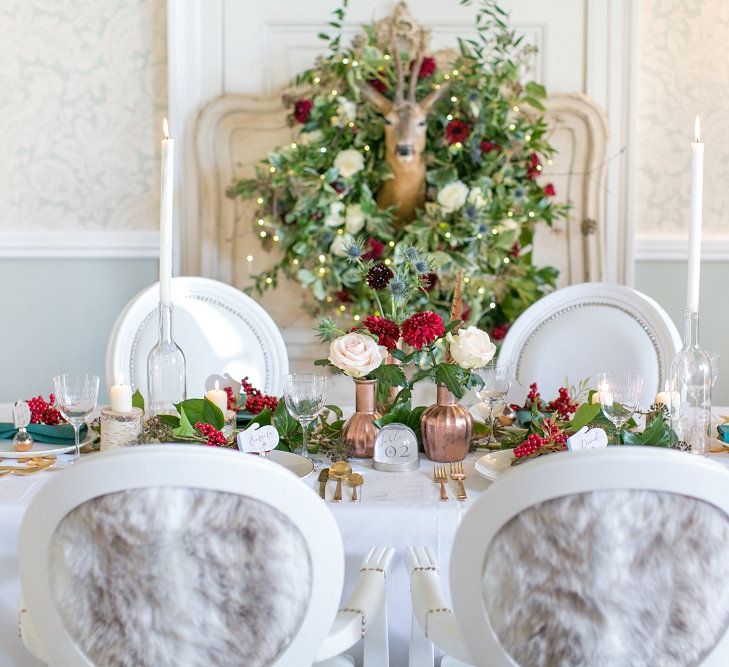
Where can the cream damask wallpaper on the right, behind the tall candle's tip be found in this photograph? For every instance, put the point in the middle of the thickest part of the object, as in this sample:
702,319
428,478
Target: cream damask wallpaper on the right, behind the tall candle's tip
683,69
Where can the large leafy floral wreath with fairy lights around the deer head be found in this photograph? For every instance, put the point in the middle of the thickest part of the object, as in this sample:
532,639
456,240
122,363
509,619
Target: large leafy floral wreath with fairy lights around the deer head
485,147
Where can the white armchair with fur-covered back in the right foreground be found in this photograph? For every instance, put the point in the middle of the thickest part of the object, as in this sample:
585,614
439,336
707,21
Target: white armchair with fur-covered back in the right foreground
609,557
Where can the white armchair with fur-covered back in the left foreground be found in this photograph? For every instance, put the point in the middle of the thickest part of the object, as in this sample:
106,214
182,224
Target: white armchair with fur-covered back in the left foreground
189,555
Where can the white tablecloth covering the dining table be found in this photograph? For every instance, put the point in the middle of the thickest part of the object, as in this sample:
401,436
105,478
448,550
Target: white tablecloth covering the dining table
427,522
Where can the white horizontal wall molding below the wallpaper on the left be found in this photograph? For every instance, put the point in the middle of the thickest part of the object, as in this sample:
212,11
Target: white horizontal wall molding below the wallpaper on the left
79,244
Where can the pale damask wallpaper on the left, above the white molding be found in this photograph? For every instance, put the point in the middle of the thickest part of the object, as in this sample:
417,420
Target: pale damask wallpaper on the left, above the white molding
82,94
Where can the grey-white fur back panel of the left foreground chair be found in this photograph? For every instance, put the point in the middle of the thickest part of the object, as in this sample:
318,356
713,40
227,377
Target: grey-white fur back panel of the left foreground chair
183,577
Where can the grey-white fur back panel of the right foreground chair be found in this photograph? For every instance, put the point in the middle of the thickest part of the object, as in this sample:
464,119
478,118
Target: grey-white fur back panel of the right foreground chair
628,578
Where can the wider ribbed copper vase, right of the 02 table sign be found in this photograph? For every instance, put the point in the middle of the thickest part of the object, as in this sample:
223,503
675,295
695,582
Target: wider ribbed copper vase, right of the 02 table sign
446,428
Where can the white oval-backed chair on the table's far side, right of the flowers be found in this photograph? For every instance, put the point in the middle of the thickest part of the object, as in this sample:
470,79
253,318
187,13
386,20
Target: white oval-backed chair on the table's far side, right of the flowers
582,330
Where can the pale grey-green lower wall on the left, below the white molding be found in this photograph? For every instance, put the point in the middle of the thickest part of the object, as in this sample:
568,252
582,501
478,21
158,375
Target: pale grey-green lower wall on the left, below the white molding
58,315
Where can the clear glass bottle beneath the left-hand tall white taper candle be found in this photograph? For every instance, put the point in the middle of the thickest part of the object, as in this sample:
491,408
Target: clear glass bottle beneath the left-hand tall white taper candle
166,370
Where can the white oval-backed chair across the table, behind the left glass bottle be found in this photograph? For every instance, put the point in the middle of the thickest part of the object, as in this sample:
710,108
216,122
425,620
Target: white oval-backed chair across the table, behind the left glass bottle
224,334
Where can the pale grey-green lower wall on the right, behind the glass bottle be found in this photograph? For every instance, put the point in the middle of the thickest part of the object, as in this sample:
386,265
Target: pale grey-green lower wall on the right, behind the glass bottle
666,283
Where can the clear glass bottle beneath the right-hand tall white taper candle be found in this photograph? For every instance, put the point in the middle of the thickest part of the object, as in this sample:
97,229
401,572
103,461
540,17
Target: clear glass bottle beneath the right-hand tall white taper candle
690,391
